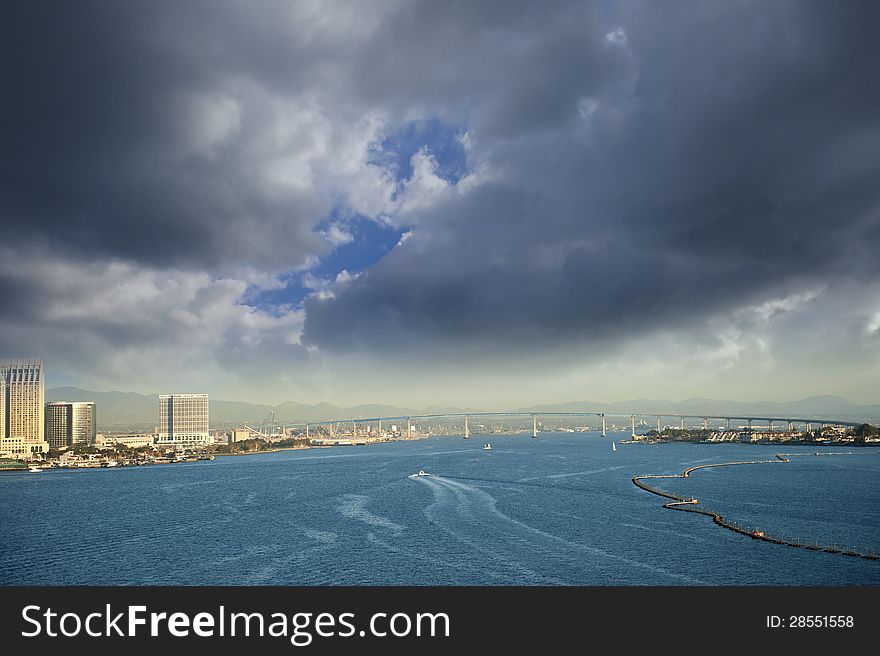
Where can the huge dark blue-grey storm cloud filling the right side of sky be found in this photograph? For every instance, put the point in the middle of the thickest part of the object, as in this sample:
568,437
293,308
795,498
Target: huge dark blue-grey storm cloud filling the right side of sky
735,159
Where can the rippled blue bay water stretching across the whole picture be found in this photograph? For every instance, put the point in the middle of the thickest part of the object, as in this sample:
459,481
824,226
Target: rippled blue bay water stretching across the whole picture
560,509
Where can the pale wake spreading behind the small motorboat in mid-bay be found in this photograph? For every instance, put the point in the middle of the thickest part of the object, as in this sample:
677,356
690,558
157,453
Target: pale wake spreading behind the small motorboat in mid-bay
514,551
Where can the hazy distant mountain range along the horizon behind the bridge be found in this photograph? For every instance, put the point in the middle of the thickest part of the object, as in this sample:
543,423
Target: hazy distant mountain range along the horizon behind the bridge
128,410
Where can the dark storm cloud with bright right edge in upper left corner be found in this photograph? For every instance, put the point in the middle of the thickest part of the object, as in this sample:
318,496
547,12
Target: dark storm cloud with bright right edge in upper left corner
107,146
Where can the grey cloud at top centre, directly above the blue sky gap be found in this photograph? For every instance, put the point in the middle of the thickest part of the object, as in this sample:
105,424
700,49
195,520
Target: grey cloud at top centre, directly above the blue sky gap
496,65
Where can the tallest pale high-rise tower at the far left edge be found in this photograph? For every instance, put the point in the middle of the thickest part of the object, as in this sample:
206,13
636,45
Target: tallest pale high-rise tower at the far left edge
21,408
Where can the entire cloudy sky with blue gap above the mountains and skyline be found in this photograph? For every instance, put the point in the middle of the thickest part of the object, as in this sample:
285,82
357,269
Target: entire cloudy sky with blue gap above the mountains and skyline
418,202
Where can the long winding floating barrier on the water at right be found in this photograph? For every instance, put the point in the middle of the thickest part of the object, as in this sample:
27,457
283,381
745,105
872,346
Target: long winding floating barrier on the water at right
690,504
